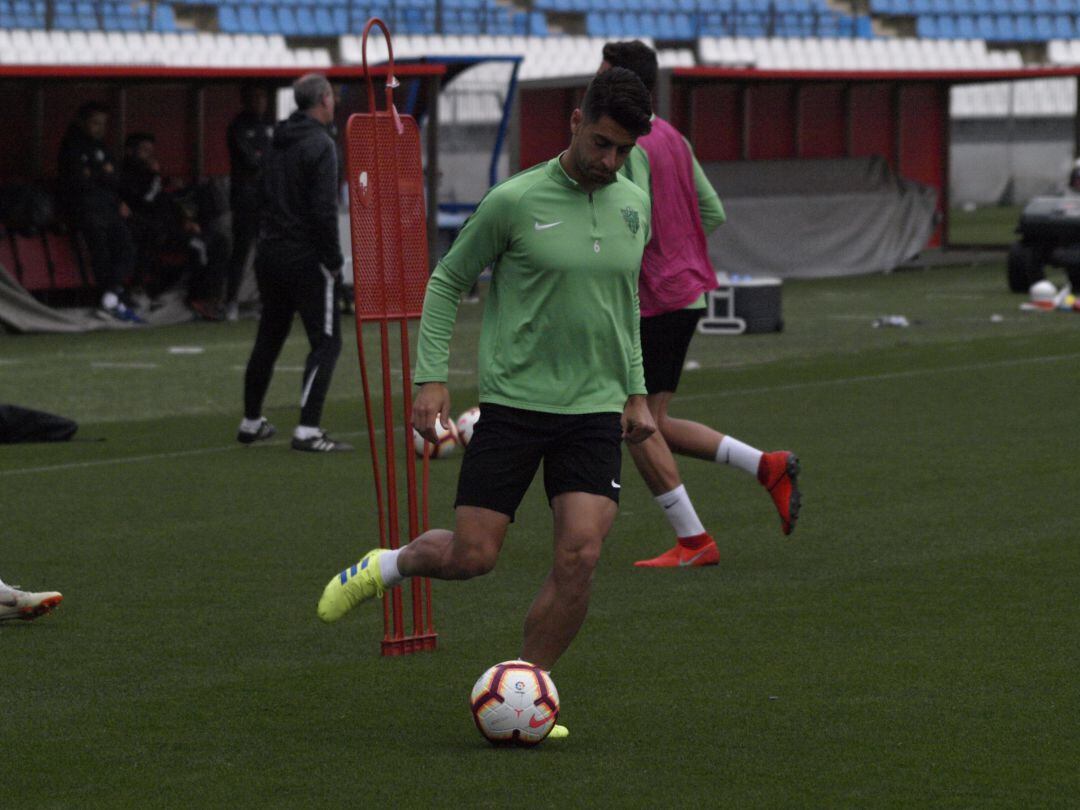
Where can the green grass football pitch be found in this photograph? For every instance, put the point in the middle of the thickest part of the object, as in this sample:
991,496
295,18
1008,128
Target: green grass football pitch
913,644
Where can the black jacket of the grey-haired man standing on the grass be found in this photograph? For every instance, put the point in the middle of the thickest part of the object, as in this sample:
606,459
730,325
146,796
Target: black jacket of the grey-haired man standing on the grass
300,224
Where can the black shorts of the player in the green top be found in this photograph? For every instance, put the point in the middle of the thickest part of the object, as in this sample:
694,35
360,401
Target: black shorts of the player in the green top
580,454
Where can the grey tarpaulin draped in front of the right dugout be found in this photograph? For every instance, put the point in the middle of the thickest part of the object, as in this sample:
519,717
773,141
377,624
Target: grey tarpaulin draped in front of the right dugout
813,219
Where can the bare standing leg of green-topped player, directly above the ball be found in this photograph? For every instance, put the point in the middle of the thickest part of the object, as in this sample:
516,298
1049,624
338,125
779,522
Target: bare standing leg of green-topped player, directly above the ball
583,521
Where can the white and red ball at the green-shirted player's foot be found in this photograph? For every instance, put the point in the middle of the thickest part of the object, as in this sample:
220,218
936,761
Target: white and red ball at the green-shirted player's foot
515,704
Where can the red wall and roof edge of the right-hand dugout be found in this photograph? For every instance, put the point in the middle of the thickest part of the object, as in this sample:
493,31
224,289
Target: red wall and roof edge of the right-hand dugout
733,114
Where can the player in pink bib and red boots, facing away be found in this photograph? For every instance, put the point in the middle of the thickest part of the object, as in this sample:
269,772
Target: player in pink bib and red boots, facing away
677,275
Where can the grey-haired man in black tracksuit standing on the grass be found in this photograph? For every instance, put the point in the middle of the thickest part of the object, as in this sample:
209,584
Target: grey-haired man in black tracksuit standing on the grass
299,264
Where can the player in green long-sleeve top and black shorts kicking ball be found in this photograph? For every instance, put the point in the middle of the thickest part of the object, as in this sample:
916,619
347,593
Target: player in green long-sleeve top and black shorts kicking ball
561,376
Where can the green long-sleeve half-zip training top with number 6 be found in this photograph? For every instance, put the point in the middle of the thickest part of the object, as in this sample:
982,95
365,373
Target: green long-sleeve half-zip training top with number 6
560,332
